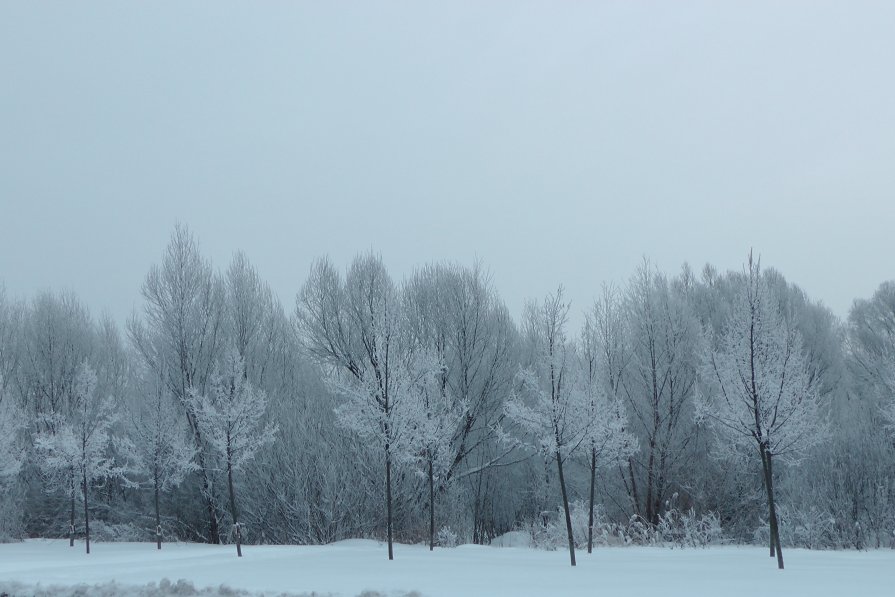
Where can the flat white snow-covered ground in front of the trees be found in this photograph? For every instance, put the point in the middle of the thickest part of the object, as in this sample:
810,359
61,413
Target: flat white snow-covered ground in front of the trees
353,567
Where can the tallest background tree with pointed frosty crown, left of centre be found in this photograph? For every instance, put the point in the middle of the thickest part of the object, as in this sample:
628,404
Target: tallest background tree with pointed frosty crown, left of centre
180,337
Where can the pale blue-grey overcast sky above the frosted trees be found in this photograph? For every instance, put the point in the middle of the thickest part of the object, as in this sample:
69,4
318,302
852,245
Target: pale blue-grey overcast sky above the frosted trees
558,142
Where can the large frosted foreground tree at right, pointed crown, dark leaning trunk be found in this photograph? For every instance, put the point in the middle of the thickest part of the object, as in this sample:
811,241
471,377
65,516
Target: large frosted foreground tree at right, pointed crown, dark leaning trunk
761,394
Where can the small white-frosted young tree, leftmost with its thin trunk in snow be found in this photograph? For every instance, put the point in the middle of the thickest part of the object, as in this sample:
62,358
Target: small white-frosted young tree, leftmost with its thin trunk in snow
78,451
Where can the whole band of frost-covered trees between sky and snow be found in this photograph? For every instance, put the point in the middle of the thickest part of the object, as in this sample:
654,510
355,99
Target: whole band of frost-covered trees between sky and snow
422,411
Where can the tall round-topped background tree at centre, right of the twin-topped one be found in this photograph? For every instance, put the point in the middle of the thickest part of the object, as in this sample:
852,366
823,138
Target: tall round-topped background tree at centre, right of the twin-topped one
455,312
